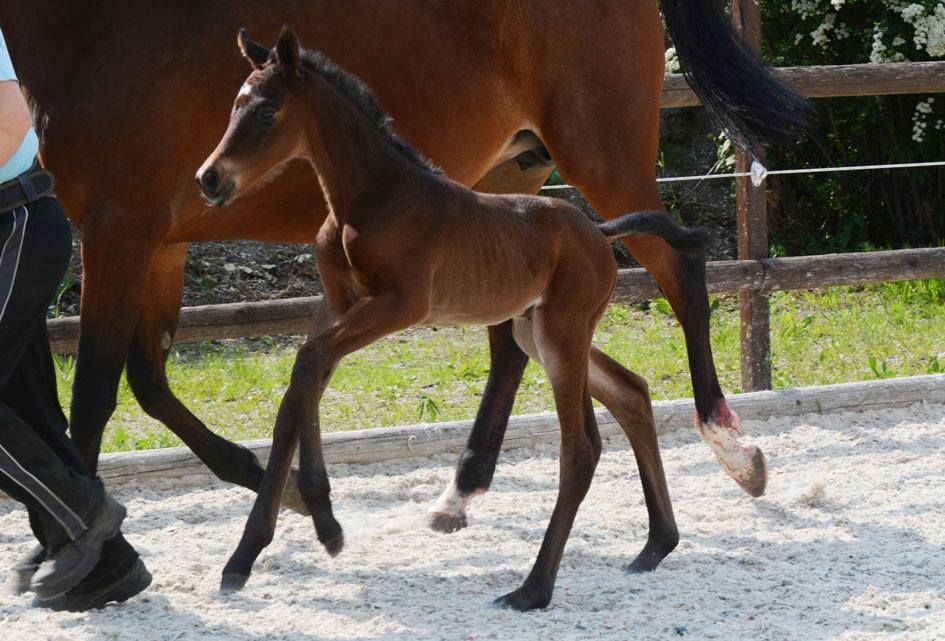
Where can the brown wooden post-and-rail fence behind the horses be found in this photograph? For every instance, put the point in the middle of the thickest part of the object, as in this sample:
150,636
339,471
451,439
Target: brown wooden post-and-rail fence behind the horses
753,276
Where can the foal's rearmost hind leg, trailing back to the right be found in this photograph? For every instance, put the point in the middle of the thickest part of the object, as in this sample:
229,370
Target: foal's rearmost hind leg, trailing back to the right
627,397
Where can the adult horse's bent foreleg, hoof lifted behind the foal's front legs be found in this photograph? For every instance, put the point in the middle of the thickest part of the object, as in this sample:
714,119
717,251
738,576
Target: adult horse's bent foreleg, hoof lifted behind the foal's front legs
151,343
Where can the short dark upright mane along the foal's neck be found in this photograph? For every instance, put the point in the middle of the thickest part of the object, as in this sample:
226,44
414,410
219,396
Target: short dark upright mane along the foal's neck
361,96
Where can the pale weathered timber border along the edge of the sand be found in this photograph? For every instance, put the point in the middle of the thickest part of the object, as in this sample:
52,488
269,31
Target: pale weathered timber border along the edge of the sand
399,443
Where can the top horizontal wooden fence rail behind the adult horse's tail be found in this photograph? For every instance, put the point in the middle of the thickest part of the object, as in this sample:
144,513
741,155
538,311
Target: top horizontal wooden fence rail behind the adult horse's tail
834,81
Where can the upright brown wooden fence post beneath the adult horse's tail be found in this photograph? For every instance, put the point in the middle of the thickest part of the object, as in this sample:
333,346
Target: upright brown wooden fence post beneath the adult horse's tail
752,217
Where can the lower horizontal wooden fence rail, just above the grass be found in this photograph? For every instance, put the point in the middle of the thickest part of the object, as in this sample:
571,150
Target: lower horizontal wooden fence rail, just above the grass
291,316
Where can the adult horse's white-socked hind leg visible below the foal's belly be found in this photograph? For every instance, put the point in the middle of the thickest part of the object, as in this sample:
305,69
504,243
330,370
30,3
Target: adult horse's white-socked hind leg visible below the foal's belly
477,463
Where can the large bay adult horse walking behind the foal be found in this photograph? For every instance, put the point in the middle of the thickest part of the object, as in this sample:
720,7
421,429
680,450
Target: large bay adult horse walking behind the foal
130,95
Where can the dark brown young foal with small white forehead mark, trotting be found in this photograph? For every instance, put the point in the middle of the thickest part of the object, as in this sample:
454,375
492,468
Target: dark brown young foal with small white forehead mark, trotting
404,245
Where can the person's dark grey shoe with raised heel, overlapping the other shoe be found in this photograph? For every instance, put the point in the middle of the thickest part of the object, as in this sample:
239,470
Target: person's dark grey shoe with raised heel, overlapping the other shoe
66,565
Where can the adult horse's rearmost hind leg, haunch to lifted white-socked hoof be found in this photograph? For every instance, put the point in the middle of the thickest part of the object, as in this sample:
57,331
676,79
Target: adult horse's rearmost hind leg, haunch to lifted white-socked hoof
606,144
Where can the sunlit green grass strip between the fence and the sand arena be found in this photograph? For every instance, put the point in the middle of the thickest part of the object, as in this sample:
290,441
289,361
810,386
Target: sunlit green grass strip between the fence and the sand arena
830,336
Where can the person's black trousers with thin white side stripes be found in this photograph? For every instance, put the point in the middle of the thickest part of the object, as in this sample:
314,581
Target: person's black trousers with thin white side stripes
39,465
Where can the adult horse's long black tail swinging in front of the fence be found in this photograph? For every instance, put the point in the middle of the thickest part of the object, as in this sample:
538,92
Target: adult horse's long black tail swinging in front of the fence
736,87
